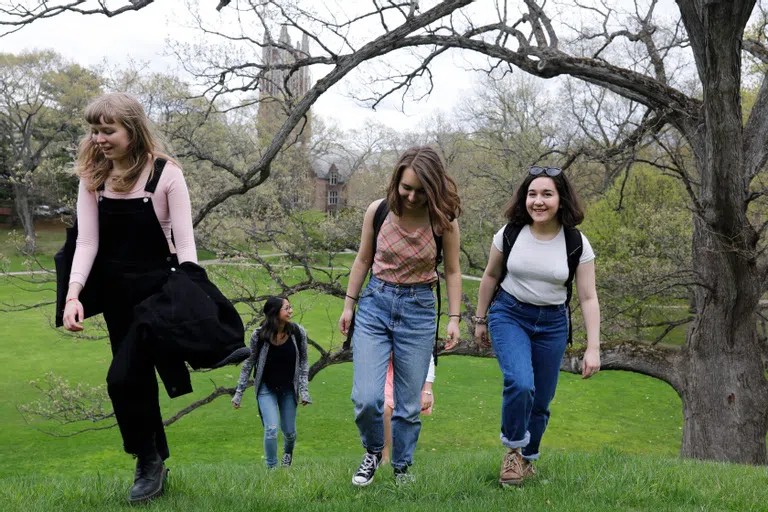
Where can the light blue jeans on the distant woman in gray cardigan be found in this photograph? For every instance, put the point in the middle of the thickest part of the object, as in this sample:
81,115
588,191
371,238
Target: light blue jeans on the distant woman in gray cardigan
269,405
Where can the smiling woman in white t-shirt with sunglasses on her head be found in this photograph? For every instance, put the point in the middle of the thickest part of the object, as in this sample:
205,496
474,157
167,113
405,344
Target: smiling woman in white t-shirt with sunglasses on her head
528,317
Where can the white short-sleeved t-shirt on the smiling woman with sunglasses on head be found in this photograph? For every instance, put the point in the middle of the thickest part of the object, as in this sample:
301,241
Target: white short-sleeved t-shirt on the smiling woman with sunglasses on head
537,269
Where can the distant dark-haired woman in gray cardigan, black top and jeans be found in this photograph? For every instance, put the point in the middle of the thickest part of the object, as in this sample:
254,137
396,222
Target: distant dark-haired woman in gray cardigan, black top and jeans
279,354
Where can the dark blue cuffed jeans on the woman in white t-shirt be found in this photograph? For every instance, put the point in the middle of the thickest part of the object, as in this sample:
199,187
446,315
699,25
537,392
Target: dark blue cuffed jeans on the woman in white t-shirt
529,342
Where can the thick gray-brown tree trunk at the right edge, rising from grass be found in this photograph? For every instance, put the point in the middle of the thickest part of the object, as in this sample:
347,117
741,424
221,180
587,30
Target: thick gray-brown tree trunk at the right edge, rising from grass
724,389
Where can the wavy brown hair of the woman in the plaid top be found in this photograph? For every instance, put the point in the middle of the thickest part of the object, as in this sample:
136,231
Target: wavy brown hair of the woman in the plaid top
442,197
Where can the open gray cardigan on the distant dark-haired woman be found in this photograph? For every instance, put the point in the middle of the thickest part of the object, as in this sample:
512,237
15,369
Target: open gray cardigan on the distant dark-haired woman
301,374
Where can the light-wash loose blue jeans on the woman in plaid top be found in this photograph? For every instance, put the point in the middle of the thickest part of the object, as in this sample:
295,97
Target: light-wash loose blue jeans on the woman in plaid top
398,319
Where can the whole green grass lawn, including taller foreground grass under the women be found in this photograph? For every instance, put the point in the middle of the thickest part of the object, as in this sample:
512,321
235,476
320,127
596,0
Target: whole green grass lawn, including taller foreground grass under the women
611,444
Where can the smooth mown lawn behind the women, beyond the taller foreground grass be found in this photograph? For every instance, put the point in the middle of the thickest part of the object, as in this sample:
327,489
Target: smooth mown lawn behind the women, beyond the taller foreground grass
631,413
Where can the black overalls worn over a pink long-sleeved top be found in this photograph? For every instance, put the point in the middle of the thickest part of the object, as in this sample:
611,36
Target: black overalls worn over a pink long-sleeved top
133,262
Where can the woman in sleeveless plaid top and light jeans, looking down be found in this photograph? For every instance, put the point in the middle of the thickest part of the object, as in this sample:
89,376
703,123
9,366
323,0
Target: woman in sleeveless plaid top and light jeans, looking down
396,310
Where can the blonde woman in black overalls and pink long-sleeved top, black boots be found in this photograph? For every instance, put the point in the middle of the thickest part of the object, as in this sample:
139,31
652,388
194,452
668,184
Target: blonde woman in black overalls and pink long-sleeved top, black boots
132,194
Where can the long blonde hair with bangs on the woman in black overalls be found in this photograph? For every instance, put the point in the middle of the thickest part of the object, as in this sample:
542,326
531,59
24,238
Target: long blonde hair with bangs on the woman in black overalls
118,107
